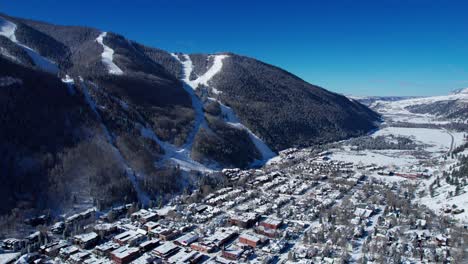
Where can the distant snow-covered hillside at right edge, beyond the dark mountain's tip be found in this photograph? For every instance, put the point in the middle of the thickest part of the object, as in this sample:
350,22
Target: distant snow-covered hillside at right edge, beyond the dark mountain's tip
453,106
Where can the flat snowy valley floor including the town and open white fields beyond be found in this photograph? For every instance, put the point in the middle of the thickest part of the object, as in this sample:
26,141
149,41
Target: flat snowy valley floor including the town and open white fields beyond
383,197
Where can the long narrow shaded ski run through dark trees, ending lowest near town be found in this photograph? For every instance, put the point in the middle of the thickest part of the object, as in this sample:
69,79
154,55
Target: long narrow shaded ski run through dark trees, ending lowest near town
142,196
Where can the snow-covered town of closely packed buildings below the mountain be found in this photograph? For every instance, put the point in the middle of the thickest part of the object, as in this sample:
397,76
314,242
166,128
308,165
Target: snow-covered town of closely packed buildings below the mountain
303,207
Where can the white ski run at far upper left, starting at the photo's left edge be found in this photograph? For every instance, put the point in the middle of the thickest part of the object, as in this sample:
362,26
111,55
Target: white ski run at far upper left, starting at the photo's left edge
8,29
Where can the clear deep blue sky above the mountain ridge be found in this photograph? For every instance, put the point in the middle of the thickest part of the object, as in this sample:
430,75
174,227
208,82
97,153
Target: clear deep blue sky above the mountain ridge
378,47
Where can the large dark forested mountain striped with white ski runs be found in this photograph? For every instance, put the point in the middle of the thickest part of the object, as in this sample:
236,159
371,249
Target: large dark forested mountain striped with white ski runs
92,118
